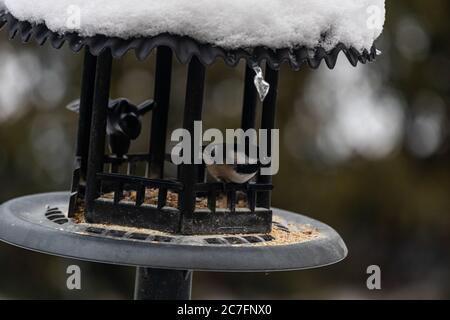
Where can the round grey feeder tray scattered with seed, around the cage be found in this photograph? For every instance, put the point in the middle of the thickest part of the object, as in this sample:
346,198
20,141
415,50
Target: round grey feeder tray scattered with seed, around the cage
40,223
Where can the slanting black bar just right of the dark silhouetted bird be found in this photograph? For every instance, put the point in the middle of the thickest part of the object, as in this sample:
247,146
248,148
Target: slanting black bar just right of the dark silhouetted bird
163,77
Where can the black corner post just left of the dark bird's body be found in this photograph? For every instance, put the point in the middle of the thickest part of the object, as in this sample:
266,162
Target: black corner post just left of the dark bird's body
98,128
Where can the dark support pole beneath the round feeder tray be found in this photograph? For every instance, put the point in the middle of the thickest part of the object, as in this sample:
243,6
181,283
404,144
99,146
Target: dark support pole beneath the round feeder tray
159,284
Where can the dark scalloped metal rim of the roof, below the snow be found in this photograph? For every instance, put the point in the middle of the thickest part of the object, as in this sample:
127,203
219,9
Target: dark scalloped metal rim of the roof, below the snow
183,47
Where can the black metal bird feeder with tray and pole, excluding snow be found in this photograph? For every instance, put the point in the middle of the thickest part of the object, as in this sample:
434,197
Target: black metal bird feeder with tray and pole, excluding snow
113,215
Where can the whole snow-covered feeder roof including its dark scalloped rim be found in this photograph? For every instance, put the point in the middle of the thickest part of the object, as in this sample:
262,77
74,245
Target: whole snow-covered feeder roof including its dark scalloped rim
244,28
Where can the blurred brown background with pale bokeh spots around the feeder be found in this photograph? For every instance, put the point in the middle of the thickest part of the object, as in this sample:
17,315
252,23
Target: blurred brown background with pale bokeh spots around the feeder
367,148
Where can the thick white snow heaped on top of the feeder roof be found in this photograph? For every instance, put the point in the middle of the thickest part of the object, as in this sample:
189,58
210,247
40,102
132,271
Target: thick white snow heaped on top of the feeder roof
226,23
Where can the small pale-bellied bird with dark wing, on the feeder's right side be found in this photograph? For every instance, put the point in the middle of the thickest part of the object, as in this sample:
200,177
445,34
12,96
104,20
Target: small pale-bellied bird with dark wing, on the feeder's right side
243,169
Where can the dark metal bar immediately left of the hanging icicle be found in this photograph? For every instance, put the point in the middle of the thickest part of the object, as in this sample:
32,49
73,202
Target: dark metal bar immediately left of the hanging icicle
249,104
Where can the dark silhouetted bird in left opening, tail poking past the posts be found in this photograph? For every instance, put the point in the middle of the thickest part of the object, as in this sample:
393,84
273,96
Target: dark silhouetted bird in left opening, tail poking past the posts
123,122
